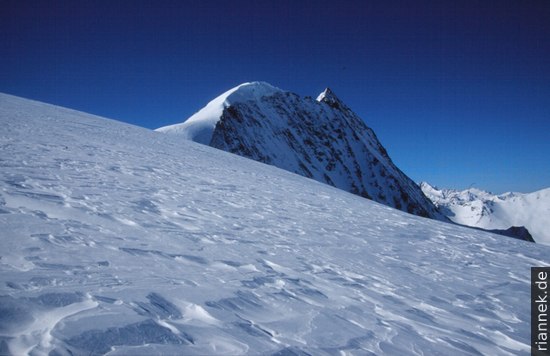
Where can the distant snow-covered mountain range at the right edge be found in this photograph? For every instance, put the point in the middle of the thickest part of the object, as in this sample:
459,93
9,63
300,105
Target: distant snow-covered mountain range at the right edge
478,208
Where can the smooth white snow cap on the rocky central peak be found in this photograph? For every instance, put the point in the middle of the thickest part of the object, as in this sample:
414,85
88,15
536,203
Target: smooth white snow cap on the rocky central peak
200,126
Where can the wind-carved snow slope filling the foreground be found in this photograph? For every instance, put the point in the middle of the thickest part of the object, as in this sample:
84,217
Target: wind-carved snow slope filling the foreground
116,239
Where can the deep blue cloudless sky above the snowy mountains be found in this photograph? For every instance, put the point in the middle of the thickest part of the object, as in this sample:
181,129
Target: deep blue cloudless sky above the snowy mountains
457,91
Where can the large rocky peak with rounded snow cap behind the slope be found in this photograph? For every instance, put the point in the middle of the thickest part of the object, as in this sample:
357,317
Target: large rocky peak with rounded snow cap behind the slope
320,139
